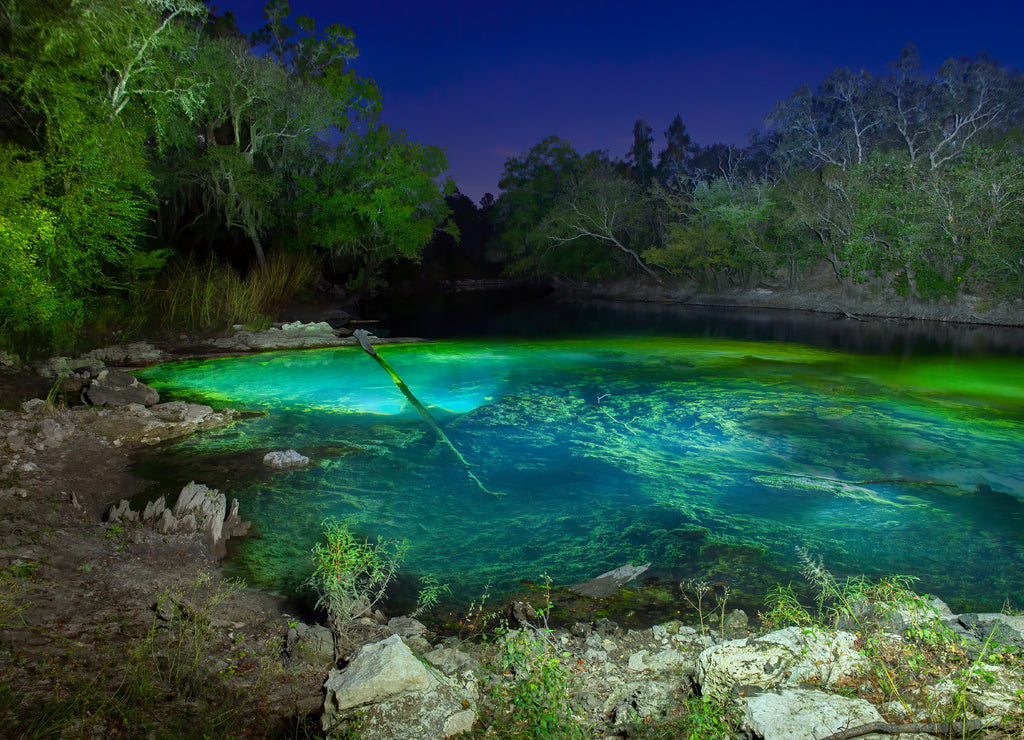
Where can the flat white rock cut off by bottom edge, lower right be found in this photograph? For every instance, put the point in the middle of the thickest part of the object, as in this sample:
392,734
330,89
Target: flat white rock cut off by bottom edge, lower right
803,714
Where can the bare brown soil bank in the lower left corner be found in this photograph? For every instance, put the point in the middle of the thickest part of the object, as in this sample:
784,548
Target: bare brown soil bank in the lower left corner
84,614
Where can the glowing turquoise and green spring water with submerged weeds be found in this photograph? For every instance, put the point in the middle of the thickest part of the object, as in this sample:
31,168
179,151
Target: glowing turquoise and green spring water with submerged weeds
708,458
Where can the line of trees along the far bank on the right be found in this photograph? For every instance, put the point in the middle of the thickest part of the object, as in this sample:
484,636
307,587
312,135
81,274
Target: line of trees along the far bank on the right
914,181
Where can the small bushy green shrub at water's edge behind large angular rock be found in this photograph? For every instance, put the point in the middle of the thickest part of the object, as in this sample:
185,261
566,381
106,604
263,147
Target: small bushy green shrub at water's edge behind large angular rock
352,576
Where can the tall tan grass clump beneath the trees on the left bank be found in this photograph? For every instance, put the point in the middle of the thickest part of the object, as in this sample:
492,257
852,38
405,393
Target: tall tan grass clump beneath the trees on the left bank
214,295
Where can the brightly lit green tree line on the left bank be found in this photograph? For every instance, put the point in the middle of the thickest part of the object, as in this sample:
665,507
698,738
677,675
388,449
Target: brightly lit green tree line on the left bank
136,132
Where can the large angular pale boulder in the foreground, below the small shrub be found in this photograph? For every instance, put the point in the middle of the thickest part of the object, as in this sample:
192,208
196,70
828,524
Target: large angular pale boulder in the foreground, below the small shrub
386,692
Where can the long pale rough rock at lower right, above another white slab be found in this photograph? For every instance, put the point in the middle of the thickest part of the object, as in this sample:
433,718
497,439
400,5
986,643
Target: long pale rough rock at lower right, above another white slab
785,657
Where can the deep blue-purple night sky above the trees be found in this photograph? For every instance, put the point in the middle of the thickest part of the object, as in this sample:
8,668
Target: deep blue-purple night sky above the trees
488,81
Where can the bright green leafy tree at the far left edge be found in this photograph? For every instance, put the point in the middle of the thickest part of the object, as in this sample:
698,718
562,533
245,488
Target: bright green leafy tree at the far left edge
82,82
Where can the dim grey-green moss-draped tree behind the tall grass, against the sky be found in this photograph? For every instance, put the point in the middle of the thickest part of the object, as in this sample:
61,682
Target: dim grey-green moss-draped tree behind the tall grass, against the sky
267,122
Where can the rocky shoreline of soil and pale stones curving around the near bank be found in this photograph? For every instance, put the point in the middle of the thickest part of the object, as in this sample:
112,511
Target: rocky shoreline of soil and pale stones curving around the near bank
89,603
